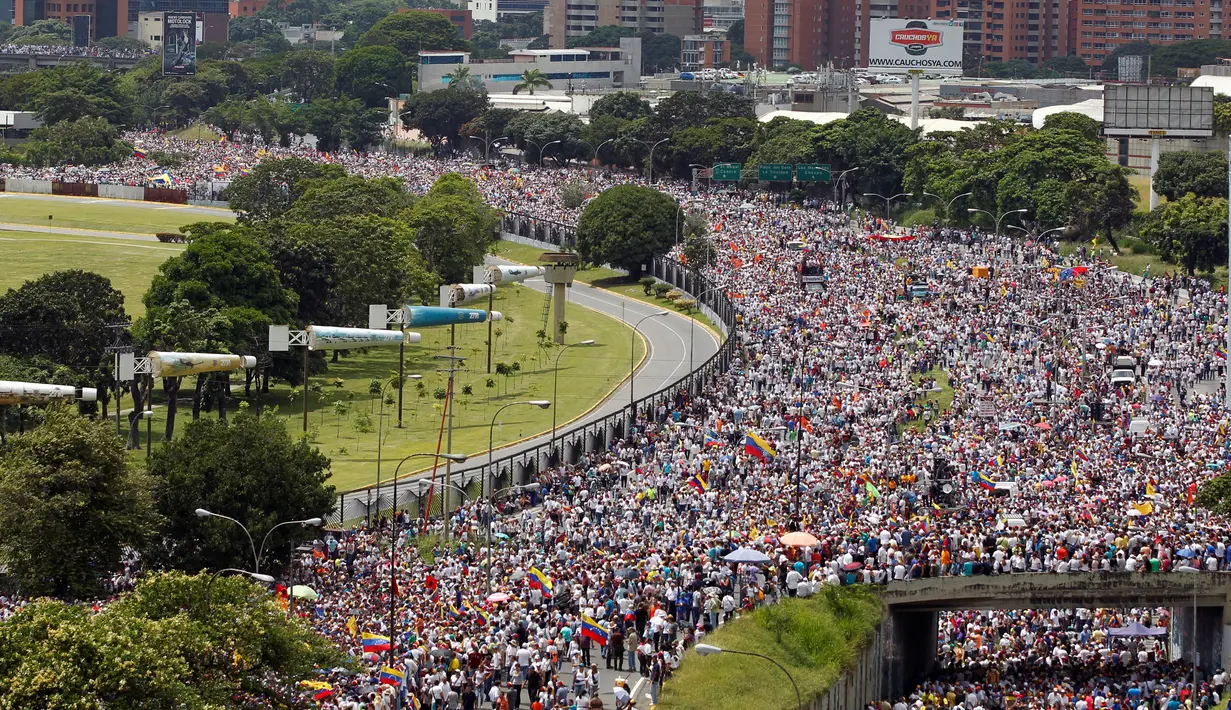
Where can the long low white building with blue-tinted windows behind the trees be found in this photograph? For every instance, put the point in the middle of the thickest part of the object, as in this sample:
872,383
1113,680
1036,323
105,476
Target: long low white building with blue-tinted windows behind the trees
584,68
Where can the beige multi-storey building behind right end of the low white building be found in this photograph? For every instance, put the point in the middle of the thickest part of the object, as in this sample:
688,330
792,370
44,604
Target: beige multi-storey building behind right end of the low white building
564,19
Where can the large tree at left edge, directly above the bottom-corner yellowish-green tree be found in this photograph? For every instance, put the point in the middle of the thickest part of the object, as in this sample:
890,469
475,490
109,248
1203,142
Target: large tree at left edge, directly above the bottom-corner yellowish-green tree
72,506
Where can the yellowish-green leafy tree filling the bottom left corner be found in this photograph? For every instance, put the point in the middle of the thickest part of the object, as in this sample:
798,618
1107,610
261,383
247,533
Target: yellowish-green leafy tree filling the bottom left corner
175,642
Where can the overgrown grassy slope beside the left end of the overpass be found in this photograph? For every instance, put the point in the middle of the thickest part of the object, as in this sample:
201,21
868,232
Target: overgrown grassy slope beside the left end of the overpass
814,639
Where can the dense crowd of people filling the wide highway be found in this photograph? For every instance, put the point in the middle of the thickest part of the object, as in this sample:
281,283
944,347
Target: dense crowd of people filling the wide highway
945,399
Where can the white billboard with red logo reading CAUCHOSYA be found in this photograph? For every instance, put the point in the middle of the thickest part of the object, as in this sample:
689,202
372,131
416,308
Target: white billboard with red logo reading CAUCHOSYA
904,46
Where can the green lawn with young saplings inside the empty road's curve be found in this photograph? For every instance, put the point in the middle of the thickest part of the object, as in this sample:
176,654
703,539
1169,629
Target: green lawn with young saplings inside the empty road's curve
344,417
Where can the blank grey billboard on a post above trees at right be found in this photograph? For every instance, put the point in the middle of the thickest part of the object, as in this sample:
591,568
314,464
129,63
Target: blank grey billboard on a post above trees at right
1157,111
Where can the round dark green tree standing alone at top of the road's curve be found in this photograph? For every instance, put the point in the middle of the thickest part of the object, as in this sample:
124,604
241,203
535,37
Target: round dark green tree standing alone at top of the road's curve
627,227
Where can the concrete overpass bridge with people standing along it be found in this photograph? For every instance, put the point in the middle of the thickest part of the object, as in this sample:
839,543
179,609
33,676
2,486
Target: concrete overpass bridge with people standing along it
913,611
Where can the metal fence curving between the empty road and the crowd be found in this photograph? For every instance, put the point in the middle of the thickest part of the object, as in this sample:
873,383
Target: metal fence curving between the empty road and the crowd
571,445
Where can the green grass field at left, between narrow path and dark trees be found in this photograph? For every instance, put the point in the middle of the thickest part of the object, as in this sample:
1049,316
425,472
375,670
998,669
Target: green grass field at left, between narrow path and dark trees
129,264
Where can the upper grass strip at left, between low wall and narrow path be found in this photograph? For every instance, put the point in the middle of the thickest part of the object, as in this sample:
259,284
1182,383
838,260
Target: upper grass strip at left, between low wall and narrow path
102,215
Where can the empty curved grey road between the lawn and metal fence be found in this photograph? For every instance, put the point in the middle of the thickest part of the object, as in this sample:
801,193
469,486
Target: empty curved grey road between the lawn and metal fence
667,362
